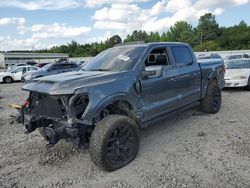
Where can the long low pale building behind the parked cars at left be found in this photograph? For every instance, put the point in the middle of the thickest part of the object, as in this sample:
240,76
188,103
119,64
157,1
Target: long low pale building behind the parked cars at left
12,58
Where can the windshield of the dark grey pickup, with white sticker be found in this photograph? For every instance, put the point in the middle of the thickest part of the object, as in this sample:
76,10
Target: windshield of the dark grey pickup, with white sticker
115,59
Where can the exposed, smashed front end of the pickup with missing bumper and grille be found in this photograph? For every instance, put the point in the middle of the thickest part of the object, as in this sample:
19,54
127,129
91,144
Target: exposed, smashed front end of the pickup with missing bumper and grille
57,117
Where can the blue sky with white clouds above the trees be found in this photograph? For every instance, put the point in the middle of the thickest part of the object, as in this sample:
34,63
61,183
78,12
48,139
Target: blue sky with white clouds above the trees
44,23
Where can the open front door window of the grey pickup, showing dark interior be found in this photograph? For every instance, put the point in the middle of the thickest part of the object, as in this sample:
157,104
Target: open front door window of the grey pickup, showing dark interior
156,57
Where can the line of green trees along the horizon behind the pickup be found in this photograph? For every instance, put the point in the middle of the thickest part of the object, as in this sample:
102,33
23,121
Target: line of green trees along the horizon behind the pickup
206,36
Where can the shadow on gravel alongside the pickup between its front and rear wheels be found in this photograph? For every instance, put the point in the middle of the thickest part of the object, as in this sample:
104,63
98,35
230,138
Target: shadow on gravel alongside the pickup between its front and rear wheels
170,130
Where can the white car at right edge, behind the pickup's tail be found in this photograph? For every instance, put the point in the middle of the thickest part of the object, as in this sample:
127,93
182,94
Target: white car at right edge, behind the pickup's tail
238,73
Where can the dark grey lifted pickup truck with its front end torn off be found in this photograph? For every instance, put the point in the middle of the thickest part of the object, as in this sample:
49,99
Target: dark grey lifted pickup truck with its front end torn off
121,90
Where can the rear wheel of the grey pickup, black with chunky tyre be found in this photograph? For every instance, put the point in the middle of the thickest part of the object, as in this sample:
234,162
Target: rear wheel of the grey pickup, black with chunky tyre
212,101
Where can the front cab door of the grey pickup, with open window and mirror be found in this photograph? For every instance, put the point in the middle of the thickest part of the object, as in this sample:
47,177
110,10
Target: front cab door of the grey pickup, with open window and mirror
158,90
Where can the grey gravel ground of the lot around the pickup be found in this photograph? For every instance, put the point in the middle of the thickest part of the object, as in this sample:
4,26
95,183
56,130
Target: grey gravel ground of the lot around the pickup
190,150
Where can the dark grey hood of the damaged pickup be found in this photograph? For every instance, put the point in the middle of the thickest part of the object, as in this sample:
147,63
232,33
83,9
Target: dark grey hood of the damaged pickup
68,83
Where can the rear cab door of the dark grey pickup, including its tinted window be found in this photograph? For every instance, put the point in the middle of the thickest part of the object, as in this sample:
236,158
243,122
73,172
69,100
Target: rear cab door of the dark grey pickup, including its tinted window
188,79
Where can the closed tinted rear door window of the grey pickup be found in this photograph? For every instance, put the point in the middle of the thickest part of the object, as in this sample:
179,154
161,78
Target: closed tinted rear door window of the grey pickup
182,55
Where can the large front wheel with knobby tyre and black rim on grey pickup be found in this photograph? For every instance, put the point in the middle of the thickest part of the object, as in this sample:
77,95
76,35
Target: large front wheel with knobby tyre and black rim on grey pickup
114,142
